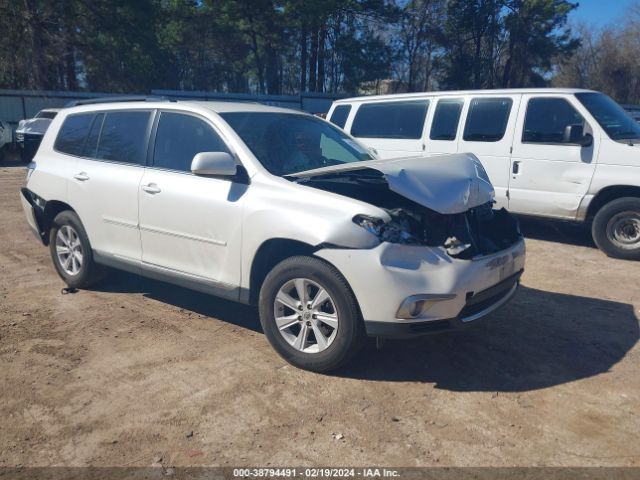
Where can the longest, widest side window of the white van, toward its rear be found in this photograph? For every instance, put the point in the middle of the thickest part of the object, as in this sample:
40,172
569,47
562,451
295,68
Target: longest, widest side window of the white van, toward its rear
402,120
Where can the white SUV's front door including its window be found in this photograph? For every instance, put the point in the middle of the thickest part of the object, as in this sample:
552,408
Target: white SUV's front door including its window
190,224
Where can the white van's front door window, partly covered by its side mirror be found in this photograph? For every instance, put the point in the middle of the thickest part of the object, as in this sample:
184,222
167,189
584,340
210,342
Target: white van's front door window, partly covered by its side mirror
547,119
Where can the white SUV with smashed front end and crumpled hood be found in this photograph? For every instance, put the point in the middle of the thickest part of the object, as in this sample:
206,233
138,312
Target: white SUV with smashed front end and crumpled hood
277,208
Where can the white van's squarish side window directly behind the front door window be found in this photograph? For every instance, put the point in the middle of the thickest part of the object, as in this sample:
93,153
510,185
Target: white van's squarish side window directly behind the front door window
487,119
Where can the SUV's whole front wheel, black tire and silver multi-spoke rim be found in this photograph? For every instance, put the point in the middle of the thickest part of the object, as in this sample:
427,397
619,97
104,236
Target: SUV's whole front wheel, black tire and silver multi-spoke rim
309,314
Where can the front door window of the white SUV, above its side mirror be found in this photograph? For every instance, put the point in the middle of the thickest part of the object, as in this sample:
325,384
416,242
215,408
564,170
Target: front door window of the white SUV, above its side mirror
180,137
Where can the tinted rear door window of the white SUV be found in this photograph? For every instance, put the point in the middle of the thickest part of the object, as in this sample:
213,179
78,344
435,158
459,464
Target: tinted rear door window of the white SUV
124,137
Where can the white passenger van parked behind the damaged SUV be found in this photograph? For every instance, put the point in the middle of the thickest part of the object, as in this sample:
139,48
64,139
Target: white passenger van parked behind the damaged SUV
560,153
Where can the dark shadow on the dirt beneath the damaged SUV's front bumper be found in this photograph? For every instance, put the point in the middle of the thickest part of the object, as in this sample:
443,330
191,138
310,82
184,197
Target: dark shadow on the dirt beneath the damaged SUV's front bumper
538,340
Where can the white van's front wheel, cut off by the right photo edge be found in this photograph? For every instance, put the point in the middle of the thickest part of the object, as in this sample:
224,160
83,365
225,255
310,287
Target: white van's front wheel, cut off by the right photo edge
616,228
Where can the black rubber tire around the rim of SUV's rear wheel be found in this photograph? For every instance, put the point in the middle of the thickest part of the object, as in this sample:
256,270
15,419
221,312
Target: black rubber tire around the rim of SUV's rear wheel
89,272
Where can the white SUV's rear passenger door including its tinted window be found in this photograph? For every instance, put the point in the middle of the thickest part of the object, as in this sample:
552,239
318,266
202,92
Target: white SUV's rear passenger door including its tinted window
104,187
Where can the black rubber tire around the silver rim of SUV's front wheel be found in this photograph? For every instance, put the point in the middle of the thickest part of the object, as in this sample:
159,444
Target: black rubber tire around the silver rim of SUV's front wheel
349,334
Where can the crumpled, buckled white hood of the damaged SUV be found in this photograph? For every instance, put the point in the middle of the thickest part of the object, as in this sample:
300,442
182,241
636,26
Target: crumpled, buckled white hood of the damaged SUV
447,184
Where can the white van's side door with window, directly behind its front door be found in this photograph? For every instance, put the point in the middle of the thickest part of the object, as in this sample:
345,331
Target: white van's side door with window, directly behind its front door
488,133
